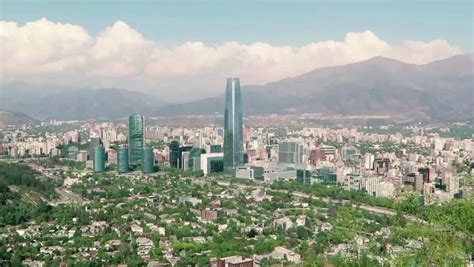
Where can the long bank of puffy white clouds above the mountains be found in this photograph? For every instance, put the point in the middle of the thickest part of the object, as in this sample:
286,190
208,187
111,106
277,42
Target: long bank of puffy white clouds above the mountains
120,55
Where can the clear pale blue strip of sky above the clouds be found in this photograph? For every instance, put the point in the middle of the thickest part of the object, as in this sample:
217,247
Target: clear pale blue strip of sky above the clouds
275,22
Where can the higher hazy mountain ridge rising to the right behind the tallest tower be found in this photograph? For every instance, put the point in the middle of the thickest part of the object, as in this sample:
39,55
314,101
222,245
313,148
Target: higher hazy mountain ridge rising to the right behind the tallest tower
378,86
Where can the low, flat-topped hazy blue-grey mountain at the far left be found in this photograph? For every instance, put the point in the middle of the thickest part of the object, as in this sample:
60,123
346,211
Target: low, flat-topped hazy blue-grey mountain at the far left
51,102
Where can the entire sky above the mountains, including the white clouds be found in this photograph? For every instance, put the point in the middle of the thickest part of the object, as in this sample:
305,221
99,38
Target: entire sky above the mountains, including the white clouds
186,49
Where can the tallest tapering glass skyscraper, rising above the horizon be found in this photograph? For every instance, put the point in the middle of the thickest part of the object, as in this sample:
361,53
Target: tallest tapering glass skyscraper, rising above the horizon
233,127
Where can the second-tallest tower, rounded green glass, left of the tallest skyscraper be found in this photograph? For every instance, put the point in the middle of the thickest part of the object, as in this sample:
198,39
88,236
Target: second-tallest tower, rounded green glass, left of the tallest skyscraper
136,138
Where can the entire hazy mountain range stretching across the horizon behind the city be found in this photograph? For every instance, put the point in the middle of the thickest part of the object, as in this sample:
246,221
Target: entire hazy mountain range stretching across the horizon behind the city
440,90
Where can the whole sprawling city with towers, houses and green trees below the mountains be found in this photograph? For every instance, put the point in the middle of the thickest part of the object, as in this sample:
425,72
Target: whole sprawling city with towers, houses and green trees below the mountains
133,193
